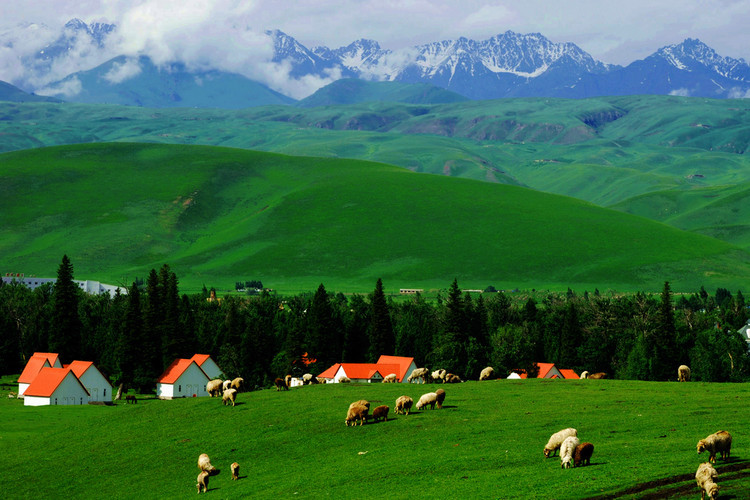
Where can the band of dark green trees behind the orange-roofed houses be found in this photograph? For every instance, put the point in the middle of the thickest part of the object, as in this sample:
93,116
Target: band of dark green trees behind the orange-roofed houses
133,337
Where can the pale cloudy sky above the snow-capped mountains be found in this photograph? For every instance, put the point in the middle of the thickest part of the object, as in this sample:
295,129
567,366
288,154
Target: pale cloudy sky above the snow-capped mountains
615,32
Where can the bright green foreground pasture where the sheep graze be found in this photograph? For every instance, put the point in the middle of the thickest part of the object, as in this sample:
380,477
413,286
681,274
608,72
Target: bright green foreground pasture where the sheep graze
485,443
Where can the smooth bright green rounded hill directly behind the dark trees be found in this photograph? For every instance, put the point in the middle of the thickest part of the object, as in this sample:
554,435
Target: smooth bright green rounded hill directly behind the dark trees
219,215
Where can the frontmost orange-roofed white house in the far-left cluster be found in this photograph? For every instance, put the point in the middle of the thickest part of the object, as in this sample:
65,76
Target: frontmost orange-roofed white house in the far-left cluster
55,386
